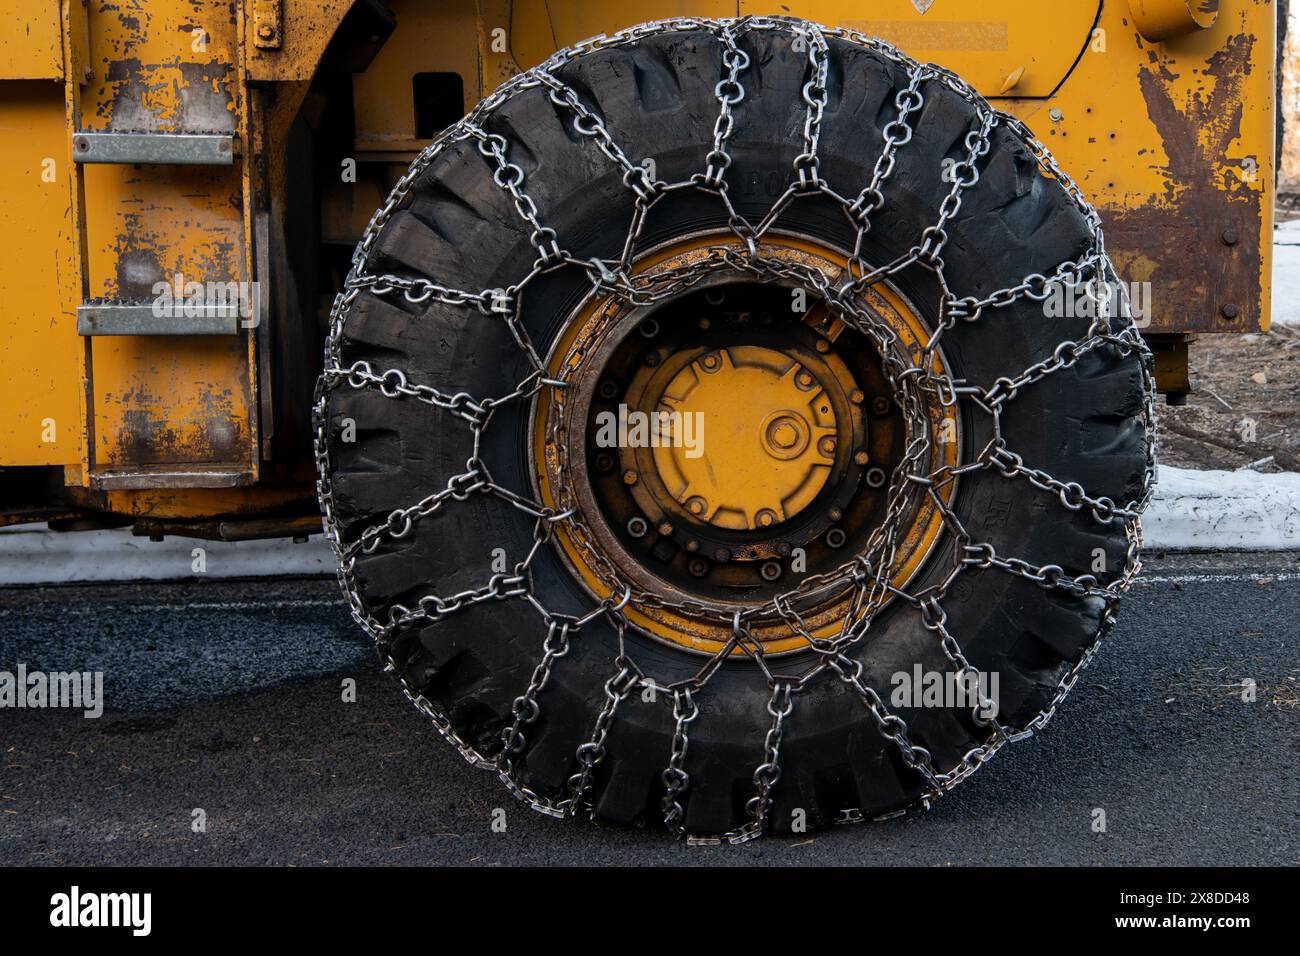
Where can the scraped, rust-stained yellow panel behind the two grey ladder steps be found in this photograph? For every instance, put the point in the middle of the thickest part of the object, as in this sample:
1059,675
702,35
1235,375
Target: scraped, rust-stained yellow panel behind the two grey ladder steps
163,404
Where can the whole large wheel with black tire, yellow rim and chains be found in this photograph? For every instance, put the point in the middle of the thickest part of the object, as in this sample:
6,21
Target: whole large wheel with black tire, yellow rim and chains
915,462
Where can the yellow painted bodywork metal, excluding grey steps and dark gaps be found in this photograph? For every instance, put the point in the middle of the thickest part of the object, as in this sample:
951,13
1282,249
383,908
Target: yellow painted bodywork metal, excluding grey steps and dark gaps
1173,141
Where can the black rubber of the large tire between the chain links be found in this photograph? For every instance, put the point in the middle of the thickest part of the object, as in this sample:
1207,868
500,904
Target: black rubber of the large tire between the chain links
1086,423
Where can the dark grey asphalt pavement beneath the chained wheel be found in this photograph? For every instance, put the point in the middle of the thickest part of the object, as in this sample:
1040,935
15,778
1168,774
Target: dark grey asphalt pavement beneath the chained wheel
227,698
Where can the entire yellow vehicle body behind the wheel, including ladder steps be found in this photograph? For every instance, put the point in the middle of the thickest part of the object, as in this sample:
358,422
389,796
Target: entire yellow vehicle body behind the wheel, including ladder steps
150,145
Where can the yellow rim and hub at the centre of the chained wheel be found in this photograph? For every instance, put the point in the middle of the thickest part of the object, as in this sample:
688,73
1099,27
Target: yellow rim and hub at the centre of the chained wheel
717,449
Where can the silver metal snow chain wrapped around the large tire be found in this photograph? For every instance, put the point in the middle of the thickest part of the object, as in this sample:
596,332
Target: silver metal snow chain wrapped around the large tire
920,384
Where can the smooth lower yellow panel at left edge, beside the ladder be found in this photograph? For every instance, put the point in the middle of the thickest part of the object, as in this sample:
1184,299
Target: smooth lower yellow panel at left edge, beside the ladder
40,351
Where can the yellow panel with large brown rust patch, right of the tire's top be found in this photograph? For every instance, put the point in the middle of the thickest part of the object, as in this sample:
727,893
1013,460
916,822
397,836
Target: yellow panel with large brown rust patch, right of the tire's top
1175,144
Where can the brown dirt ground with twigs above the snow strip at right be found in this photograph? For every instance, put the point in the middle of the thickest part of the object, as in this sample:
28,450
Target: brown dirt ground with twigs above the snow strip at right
1245,406
